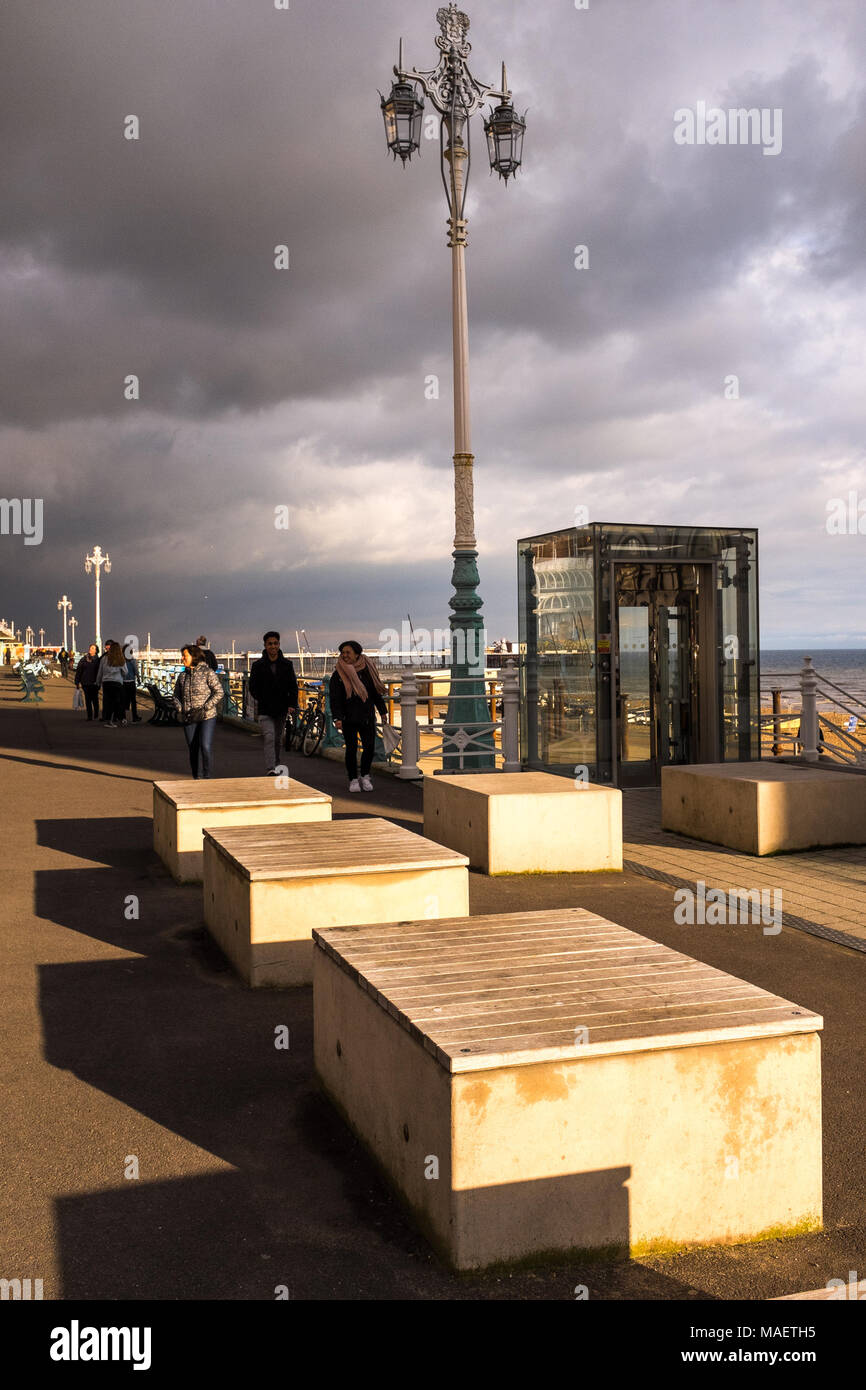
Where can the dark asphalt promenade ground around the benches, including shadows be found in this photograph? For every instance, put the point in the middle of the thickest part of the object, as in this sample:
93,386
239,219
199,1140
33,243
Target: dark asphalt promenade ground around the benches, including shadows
129,1047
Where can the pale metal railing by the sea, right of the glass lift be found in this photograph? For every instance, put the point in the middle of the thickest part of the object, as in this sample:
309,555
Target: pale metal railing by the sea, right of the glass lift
818,735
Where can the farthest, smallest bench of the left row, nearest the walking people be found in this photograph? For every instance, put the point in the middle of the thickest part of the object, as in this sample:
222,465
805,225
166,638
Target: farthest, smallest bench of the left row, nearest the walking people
184,810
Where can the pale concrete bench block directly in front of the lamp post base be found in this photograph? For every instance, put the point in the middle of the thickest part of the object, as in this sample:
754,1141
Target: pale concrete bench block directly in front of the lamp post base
526,822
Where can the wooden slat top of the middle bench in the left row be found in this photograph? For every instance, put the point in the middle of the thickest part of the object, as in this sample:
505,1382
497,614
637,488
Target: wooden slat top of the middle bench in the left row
327,849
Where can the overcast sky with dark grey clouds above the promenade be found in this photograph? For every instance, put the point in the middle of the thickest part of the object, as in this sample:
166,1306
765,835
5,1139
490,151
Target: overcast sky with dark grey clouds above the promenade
307,387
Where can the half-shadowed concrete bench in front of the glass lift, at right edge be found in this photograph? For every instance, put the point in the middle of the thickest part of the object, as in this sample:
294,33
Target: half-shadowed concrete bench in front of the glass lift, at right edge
765,808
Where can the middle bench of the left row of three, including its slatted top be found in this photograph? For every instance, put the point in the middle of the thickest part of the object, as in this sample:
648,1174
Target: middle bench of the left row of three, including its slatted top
266,889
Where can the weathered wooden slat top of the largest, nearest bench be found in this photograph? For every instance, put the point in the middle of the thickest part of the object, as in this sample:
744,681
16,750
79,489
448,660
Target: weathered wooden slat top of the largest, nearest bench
509,990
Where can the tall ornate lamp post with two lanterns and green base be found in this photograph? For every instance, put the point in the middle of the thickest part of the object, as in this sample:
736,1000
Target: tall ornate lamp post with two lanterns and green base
457,95
